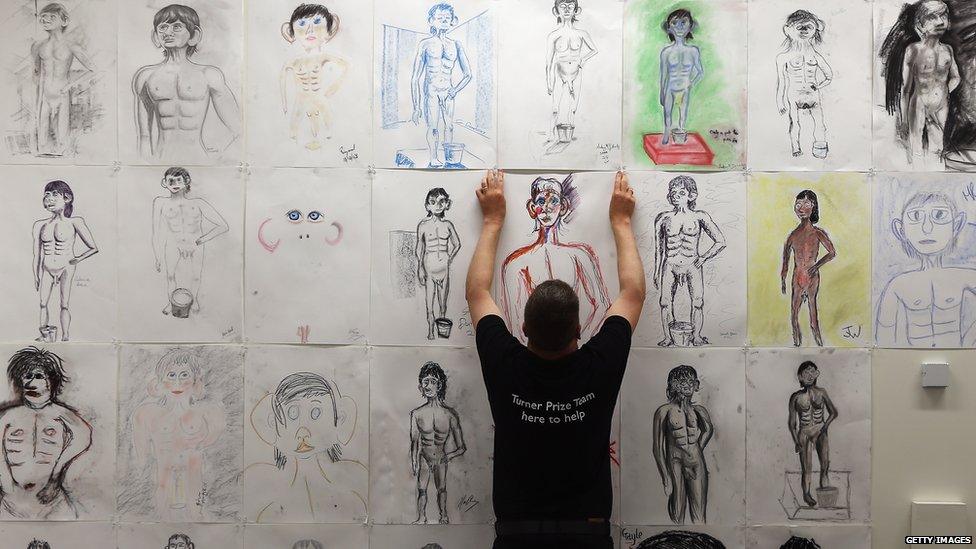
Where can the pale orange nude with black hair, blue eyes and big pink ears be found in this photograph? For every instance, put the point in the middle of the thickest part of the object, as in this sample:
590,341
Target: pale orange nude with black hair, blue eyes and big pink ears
311,75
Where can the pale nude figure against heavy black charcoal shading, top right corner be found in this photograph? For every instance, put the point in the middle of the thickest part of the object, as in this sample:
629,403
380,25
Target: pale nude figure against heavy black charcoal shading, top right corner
920,72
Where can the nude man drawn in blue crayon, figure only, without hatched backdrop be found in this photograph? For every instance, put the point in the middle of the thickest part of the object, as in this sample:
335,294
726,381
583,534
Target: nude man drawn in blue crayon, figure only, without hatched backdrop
432,88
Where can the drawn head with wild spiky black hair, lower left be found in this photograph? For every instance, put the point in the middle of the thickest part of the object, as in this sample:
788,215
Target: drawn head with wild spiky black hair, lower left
37,376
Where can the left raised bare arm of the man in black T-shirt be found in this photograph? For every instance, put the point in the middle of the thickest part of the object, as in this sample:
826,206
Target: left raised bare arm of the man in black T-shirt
491,197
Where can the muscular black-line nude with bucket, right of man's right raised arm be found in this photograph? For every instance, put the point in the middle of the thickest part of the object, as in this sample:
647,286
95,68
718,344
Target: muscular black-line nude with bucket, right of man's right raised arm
678,261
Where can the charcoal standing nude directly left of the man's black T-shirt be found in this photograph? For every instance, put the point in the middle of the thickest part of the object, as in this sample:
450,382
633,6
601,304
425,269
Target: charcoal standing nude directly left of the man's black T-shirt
434,427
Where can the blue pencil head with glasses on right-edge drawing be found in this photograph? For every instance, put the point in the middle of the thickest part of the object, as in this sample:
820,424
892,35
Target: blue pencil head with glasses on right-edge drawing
929,225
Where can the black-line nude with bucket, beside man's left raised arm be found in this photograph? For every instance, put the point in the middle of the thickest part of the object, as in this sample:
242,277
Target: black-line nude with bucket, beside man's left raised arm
437,244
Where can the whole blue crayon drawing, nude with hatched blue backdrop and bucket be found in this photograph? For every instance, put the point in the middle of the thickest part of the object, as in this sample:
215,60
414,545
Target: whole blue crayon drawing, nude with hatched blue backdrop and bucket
436,90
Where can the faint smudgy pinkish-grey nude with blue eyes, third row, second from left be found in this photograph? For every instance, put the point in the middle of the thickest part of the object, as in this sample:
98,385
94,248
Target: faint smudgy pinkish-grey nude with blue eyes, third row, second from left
175,426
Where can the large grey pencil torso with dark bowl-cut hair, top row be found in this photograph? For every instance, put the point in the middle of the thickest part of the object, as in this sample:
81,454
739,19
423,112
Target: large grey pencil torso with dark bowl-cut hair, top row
174,97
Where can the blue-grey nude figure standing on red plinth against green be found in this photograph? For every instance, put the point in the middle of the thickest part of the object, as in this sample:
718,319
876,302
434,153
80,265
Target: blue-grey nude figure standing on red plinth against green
681,69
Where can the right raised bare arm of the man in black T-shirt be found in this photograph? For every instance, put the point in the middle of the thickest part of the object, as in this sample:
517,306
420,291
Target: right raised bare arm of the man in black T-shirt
630,269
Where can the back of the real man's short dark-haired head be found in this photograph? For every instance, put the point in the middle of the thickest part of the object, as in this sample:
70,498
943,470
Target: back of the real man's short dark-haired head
552,316
